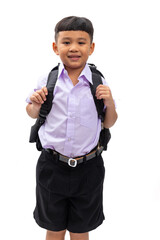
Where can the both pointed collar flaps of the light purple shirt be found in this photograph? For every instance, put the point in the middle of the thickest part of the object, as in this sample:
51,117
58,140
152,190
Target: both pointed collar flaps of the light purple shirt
86,72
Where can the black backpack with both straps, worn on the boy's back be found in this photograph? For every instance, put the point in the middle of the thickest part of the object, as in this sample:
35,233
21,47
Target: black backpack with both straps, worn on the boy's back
47,105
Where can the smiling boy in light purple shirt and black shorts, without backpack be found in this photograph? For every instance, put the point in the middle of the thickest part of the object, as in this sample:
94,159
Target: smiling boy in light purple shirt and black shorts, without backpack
71,198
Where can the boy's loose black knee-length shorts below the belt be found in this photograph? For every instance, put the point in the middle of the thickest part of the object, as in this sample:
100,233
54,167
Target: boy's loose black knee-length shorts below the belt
69,198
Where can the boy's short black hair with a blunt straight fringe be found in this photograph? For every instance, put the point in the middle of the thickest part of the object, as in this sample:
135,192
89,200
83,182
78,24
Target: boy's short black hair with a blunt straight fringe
74,23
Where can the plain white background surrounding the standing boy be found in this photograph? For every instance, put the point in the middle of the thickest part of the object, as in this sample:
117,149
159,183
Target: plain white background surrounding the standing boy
127,37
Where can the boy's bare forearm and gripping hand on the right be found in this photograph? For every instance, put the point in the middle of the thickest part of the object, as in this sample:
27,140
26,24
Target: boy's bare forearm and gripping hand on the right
104,92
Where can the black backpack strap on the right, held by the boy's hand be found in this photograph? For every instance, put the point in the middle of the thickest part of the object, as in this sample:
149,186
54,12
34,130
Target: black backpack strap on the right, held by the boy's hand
97,79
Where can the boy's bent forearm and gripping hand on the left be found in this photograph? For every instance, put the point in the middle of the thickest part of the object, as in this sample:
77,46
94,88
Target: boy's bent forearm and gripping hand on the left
37,99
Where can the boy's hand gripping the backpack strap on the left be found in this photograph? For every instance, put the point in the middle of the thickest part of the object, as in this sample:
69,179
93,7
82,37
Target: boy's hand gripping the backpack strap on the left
39,96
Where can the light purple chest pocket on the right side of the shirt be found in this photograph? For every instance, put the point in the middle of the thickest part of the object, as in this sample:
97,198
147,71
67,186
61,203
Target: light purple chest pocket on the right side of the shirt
88,113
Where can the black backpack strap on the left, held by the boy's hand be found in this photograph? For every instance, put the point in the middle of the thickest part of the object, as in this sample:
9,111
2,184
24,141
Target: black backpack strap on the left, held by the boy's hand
51,82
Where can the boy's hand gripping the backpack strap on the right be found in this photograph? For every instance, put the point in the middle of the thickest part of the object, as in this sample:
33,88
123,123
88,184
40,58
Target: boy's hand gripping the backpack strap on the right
104,92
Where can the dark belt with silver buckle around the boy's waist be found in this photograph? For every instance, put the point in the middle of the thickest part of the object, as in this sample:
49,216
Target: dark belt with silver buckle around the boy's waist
72,162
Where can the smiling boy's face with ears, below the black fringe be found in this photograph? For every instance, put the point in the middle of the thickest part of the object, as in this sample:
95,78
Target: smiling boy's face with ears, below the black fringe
74,48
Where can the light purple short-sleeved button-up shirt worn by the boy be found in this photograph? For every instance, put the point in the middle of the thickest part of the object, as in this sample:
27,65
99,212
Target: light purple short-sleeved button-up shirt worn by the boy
72,127
